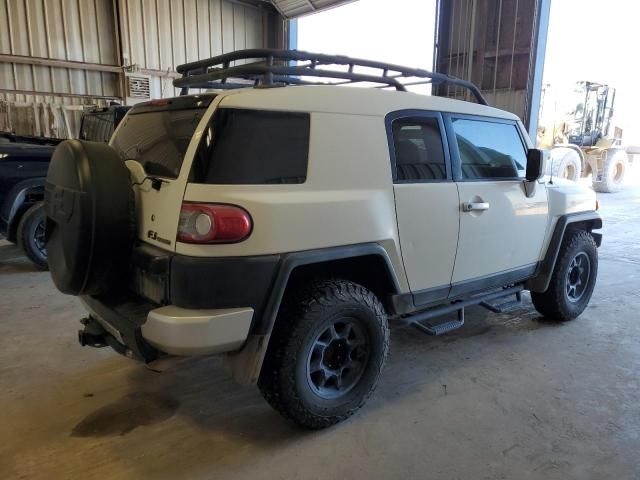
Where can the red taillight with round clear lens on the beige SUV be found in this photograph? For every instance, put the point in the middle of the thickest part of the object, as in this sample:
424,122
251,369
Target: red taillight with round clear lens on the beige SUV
213,223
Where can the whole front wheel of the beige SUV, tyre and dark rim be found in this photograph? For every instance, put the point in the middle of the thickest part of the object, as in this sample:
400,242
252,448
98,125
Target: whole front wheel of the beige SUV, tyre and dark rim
572,281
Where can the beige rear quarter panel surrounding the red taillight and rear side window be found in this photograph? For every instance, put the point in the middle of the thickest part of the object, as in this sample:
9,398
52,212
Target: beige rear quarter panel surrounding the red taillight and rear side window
347,198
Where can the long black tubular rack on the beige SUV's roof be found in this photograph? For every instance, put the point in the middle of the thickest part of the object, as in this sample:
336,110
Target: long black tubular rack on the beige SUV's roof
272,67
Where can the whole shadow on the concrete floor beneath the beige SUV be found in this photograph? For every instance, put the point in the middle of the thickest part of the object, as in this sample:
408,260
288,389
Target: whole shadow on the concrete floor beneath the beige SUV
198,402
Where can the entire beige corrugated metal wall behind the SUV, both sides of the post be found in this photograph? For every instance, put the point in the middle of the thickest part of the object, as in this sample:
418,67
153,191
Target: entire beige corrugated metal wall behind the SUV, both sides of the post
57,56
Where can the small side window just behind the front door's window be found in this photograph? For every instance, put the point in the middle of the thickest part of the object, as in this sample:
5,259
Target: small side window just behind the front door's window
418,149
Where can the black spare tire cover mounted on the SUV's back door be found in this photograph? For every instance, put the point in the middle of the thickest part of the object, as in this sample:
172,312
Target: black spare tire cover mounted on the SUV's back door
90,221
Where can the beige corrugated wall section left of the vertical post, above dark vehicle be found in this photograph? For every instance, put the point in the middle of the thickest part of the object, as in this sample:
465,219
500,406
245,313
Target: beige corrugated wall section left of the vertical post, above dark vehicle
78,31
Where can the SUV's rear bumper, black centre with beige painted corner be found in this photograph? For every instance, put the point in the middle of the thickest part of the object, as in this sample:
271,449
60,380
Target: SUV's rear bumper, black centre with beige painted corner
139,330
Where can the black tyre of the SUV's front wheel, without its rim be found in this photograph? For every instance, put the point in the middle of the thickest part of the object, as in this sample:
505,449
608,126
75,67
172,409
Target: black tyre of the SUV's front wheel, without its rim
555,303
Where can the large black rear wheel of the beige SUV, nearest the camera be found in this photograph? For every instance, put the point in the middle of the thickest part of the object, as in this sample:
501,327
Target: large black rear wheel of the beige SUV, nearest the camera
326,353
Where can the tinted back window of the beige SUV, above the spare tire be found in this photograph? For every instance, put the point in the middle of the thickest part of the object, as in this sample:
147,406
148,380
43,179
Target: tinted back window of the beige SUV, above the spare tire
157,134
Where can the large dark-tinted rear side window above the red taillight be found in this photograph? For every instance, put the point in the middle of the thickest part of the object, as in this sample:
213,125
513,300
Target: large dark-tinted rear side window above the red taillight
249,147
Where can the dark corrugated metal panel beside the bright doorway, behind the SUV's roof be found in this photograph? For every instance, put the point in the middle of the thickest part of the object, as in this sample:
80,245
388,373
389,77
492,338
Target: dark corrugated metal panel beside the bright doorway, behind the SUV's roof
493,44
